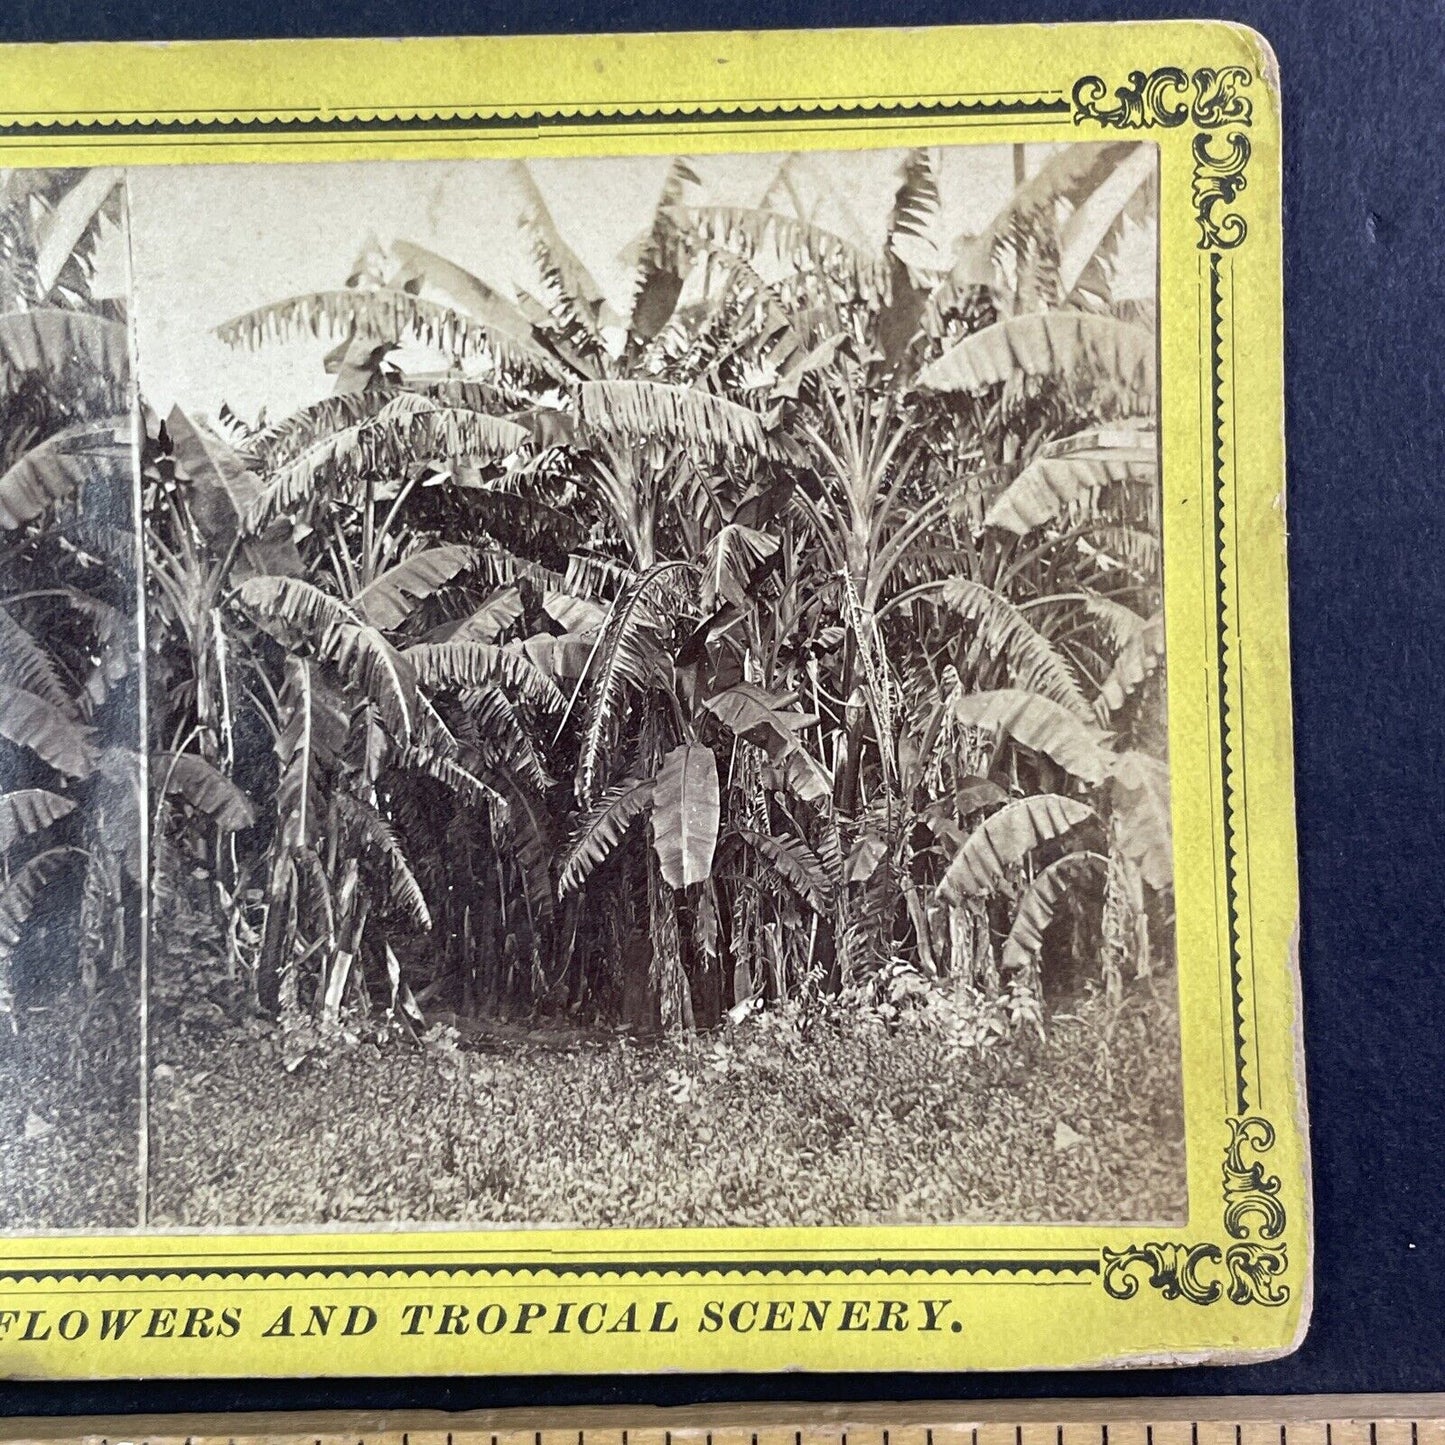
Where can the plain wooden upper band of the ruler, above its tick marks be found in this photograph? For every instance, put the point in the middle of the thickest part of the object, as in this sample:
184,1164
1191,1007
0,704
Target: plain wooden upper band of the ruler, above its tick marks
359,1425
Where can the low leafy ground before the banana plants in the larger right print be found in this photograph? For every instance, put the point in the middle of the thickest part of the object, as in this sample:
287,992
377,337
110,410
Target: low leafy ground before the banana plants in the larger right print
858,1123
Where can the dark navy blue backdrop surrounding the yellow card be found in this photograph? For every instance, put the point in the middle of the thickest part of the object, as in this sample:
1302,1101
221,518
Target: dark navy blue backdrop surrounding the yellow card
1365,85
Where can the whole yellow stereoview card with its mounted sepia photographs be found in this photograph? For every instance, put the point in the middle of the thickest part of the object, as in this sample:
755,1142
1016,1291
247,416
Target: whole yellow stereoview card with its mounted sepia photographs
647,738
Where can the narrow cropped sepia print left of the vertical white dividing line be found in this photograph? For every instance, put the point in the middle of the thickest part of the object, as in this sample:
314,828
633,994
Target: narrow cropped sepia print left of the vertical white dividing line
73,764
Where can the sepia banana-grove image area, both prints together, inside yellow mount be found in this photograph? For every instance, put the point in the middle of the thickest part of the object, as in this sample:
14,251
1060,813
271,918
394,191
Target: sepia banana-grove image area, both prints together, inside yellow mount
654,693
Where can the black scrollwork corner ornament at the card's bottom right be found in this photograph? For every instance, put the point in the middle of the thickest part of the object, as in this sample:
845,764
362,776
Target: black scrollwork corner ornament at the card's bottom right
1204,1274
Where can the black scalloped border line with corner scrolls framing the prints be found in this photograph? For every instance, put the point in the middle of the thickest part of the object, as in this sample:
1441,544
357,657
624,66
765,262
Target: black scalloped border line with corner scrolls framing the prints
1167,98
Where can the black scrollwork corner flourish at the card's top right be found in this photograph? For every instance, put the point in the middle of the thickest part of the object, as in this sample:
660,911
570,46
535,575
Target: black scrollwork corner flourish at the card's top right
1170,98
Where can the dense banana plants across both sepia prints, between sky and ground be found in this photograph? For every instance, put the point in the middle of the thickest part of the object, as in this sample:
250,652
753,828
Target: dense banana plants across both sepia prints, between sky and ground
785,645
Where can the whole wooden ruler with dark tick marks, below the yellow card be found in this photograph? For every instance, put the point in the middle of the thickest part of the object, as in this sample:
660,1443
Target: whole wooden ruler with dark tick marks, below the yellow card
1321,1420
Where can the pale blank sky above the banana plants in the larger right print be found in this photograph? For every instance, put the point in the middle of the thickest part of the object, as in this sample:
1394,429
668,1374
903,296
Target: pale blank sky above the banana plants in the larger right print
212,242
